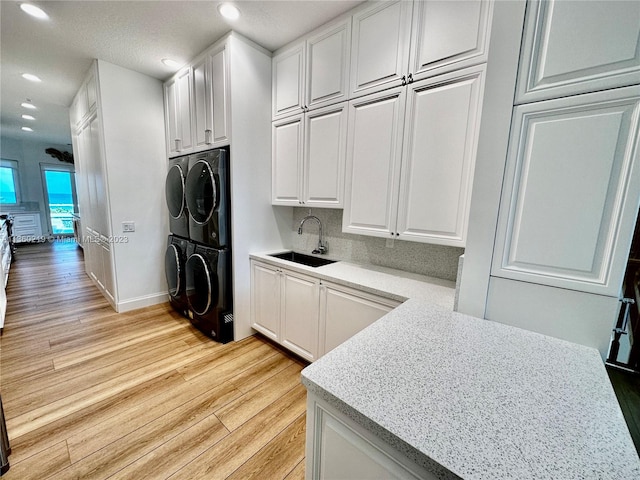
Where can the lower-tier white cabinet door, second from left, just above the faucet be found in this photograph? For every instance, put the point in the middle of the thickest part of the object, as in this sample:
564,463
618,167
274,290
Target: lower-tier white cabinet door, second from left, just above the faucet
324,156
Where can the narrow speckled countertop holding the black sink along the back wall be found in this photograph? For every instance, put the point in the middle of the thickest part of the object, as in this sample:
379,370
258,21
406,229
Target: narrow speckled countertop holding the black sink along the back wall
386,282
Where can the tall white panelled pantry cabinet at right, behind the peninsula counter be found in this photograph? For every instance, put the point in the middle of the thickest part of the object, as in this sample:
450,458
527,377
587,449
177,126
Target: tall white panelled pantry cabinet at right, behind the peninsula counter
571,186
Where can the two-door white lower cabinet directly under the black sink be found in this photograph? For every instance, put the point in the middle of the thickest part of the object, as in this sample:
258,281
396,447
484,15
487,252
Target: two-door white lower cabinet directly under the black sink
284,307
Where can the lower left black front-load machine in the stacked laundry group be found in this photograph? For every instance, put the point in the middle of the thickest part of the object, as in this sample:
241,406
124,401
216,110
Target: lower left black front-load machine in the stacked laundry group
175,259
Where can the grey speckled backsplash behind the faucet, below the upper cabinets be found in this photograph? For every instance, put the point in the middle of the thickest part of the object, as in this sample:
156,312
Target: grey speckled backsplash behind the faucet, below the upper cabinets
426,259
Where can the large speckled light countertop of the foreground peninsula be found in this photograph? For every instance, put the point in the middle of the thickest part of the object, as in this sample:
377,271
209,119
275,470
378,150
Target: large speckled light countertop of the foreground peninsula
475,399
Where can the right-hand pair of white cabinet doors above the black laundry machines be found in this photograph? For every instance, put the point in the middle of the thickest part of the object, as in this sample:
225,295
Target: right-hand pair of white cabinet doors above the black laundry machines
210,108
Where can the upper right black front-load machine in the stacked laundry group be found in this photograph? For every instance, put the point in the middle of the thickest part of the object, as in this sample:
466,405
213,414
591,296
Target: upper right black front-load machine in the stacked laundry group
207,195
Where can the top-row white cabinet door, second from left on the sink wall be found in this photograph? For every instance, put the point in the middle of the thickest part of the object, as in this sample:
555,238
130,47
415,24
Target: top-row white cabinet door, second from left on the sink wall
328,65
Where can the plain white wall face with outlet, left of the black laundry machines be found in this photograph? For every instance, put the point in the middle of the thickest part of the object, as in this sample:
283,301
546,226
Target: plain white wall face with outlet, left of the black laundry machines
133,120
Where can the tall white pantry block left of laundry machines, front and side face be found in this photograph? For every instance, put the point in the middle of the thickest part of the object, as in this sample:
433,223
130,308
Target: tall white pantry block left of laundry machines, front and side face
118,142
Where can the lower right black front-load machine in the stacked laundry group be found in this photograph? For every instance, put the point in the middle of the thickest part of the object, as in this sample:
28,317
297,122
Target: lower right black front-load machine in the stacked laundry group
209,294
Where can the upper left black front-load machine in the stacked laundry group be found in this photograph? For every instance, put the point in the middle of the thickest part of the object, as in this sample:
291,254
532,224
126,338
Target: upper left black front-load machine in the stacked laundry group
175,196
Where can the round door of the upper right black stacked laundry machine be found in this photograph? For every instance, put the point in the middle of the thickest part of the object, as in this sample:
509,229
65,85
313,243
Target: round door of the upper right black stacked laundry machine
202,189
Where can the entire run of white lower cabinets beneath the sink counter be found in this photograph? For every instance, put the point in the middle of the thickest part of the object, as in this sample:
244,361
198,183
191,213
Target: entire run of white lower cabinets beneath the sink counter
307,315
